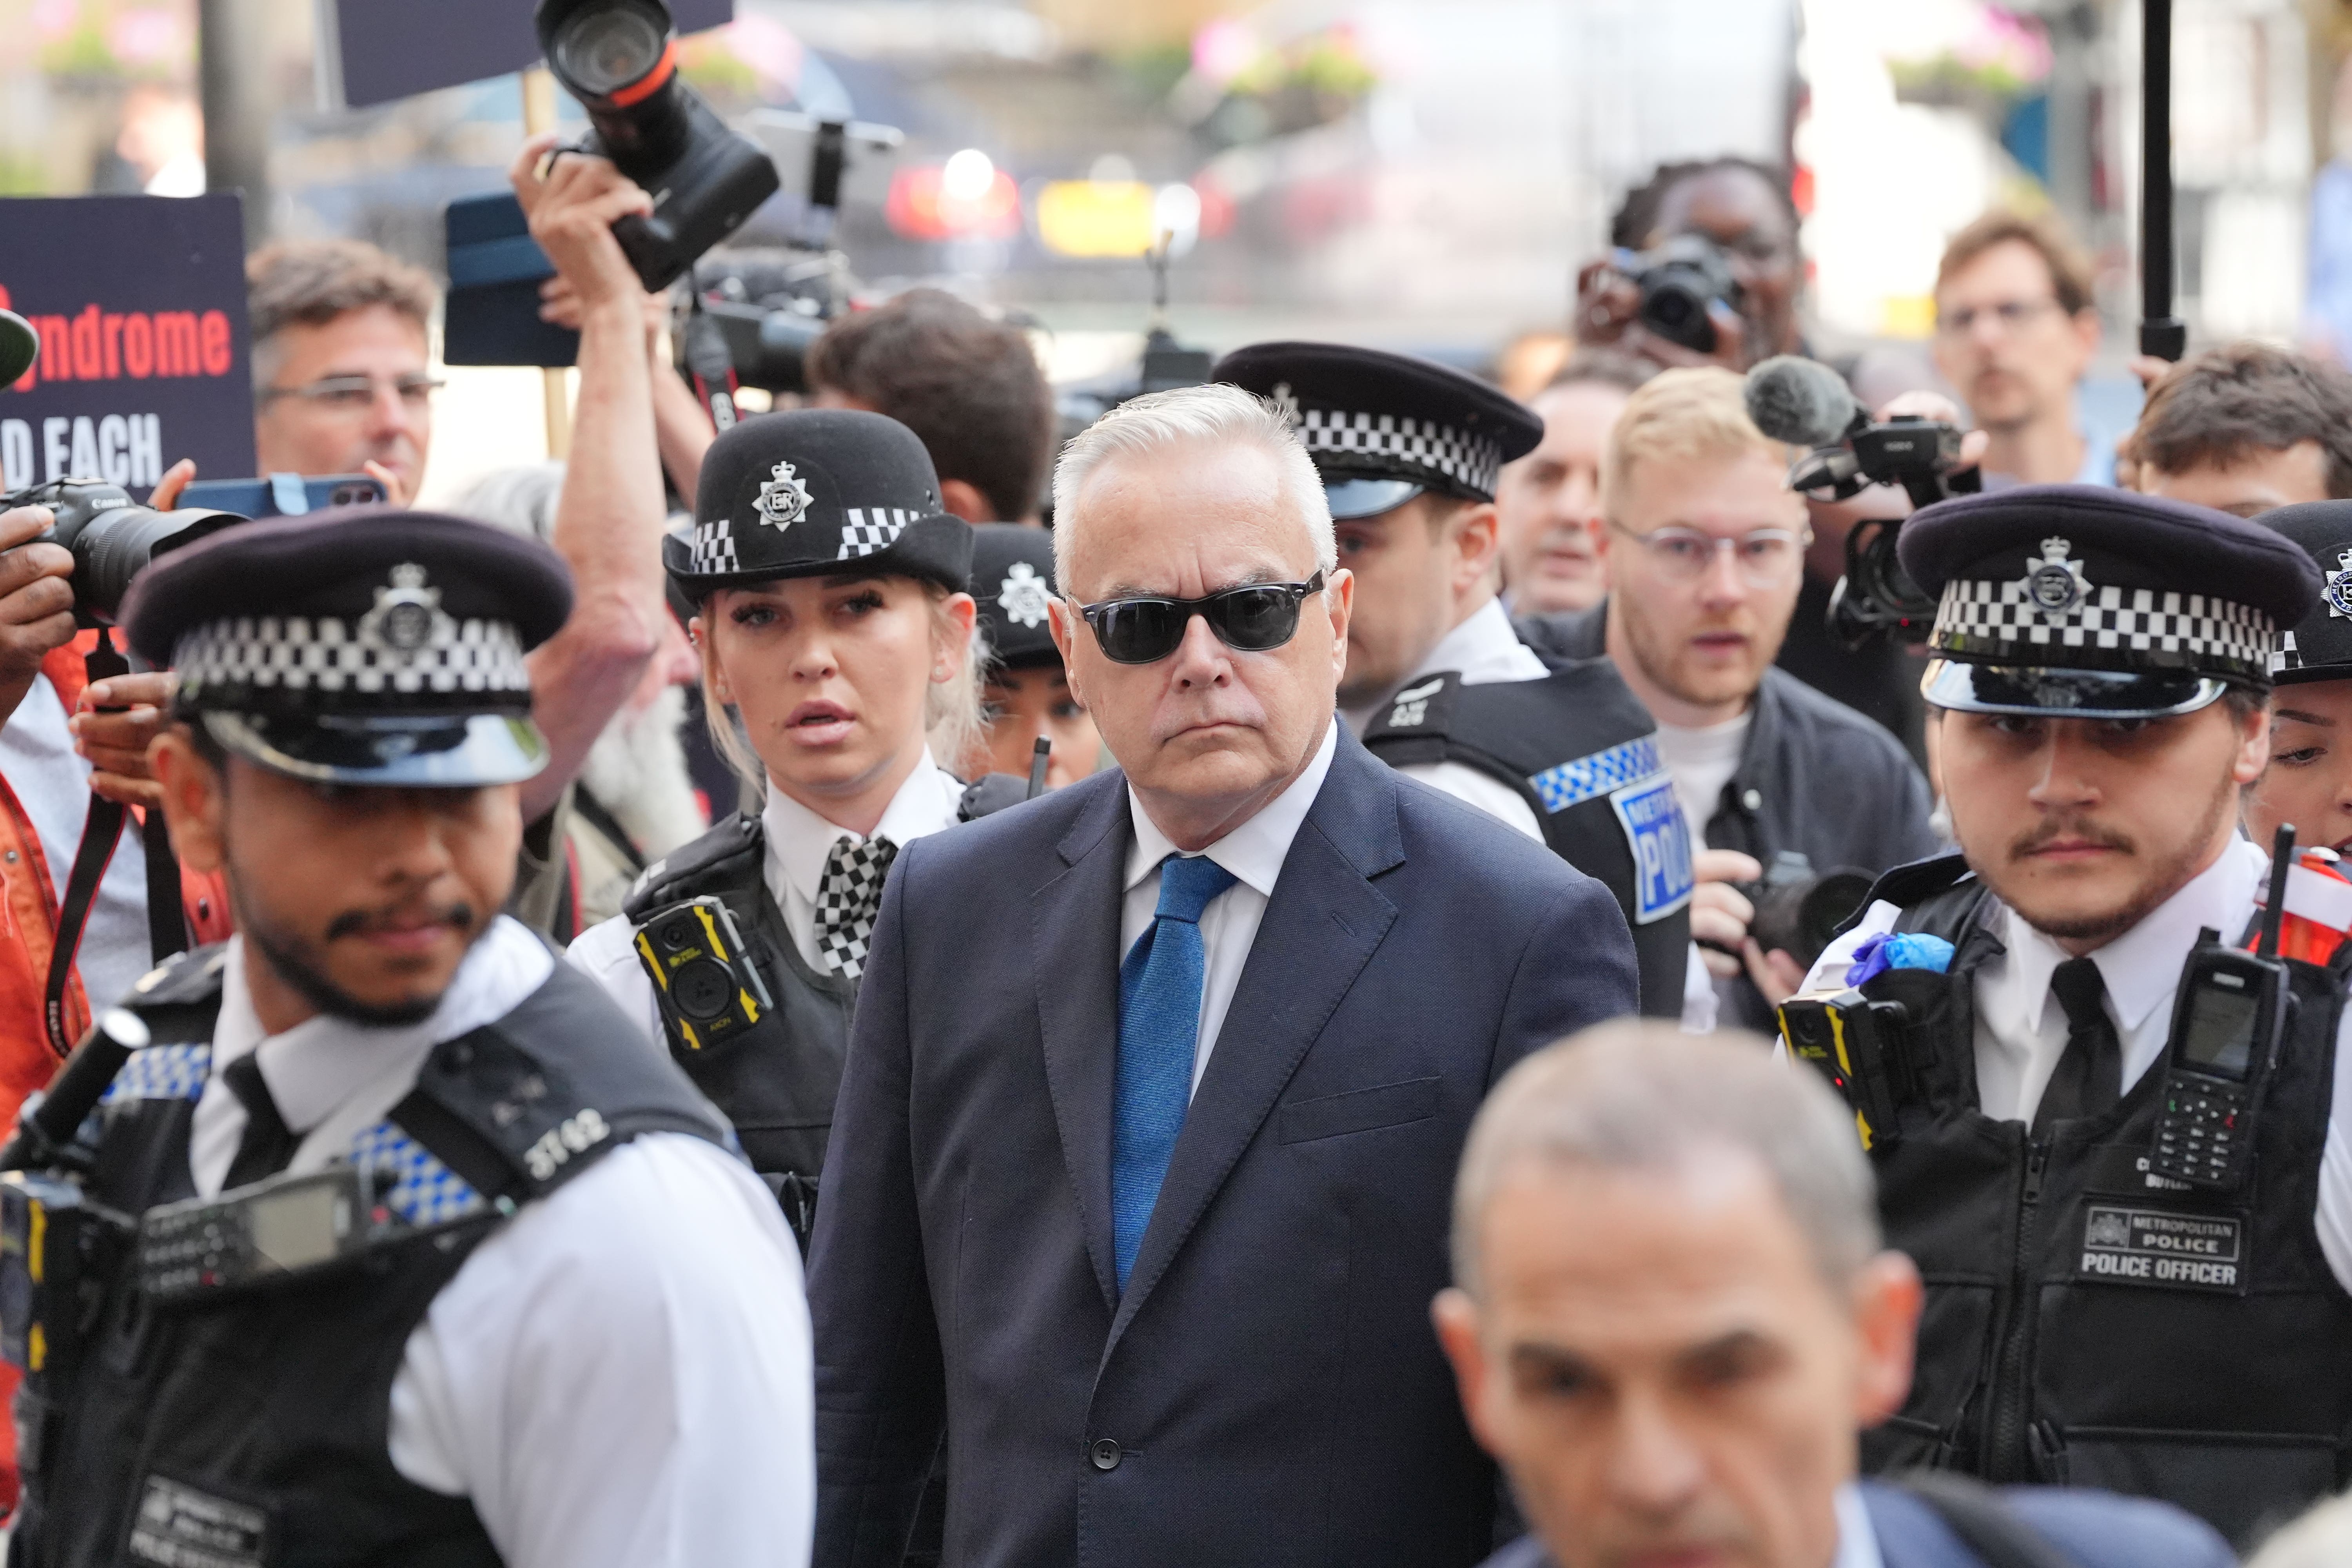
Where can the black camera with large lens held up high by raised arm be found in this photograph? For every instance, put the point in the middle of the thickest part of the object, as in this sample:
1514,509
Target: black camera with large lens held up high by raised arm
620,60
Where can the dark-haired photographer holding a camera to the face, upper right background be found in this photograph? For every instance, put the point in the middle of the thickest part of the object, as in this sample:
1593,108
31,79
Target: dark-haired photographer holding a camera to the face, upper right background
1744,220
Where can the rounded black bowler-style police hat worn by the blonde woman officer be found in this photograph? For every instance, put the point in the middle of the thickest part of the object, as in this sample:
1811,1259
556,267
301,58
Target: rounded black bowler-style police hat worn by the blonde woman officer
817,492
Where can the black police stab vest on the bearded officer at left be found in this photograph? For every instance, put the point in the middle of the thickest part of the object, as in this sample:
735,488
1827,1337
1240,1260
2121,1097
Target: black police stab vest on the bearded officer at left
250,1430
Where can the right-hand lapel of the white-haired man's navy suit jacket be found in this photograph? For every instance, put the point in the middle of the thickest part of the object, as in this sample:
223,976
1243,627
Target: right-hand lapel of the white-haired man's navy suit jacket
1321,930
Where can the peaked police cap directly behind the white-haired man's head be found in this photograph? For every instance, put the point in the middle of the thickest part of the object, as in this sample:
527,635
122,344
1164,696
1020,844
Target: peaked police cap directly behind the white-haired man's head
1382,427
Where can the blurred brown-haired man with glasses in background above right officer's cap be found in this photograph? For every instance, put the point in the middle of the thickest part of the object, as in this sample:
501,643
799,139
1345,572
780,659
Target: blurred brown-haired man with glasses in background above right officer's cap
2017,328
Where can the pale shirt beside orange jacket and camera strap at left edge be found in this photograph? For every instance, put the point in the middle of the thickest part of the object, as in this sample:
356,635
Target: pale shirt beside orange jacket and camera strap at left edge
53,786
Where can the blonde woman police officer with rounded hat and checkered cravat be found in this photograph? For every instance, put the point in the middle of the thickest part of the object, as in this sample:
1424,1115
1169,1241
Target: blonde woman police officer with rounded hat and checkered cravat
836,636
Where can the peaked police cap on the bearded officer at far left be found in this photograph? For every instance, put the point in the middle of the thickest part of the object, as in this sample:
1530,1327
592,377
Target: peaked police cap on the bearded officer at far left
363,645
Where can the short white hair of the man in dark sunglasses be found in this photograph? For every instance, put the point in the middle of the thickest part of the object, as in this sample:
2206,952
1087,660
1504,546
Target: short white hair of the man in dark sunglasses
1201,417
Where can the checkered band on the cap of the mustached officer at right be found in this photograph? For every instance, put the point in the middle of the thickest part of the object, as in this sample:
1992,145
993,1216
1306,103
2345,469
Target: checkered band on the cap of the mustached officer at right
2111,629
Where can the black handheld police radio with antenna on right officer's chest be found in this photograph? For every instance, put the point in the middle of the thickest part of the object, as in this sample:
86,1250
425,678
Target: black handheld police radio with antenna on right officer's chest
2229,1021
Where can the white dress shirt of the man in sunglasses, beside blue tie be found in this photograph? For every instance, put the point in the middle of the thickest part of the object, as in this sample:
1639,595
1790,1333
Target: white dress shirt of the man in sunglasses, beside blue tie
1229,925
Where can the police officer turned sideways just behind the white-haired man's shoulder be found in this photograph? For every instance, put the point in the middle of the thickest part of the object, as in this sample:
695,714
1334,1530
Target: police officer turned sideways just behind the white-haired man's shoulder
1438,685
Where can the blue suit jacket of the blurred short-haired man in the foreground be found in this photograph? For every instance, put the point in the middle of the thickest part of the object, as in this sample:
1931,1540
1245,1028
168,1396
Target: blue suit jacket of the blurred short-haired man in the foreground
2090,1529
